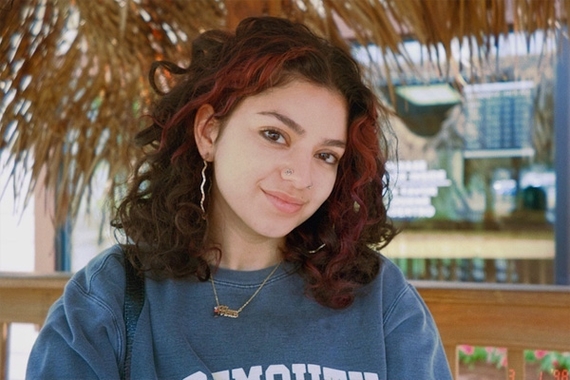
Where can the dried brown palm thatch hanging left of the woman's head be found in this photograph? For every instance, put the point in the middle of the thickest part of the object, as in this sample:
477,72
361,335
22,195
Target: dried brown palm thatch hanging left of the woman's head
73,74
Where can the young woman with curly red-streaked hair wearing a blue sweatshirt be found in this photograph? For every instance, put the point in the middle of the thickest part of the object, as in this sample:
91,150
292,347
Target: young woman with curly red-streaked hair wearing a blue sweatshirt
251,218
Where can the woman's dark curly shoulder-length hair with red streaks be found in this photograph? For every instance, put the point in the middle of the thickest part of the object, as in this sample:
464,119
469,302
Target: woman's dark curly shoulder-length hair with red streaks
160,213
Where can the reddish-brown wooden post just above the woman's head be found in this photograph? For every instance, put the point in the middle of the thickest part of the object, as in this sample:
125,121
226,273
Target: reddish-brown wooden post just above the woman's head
240,9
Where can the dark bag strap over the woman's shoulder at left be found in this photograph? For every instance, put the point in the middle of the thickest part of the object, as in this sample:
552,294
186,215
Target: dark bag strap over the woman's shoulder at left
134,300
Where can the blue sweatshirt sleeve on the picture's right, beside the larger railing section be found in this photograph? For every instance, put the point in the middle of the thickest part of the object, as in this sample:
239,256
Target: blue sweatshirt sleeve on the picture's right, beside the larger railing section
413,345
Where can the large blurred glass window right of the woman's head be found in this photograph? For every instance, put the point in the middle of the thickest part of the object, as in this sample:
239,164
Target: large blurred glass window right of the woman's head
473,179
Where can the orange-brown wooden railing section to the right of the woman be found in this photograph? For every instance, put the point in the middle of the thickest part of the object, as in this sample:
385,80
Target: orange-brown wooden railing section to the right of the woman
516,317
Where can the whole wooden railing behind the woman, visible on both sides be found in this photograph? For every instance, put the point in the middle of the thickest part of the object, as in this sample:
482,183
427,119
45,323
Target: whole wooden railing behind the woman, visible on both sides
517,317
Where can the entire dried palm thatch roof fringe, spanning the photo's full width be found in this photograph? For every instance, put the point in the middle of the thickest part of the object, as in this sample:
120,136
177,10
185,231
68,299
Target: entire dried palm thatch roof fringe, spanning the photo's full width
73,72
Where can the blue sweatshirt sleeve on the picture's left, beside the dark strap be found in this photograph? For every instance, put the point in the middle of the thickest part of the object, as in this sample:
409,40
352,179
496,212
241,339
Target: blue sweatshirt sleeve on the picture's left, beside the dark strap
84,333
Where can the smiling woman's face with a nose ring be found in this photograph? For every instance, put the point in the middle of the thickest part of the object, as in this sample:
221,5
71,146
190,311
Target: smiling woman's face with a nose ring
276,158
